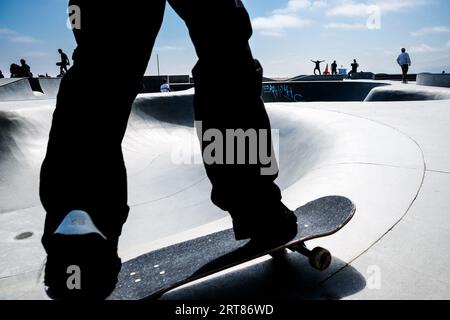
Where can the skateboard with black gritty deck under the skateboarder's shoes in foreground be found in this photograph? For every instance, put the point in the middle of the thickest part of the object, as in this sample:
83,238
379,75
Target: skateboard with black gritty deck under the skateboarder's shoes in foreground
151,275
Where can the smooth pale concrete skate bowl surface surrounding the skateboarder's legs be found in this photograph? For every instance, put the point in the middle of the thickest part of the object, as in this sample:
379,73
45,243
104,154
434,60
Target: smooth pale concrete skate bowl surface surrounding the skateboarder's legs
388,157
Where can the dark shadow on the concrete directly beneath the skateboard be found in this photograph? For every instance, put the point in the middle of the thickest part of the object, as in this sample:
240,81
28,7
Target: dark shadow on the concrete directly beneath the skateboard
287,278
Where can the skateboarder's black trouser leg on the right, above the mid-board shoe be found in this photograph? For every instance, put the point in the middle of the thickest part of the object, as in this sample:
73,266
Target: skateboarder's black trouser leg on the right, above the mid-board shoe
220,31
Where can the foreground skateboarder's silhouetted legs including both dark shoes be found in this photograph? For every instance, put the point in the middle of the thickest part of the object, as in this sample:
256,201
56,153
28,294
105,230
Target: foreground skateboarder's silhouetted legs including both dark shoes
83,185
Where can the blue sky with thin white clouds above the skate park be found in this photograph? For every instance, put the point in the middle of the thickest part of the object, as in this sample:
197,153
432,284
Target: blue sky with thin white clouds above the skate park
287,34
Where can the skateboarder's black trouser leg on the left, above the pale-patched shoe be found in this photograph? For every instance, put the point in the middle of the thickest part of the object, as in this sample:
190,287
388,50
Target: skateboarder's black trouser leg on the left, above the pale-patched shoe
84,167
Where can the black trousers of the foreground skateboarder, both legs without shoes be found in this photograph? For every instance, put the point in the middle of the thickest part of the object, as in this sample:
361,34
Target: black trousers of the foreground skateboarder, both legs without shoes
84,167
